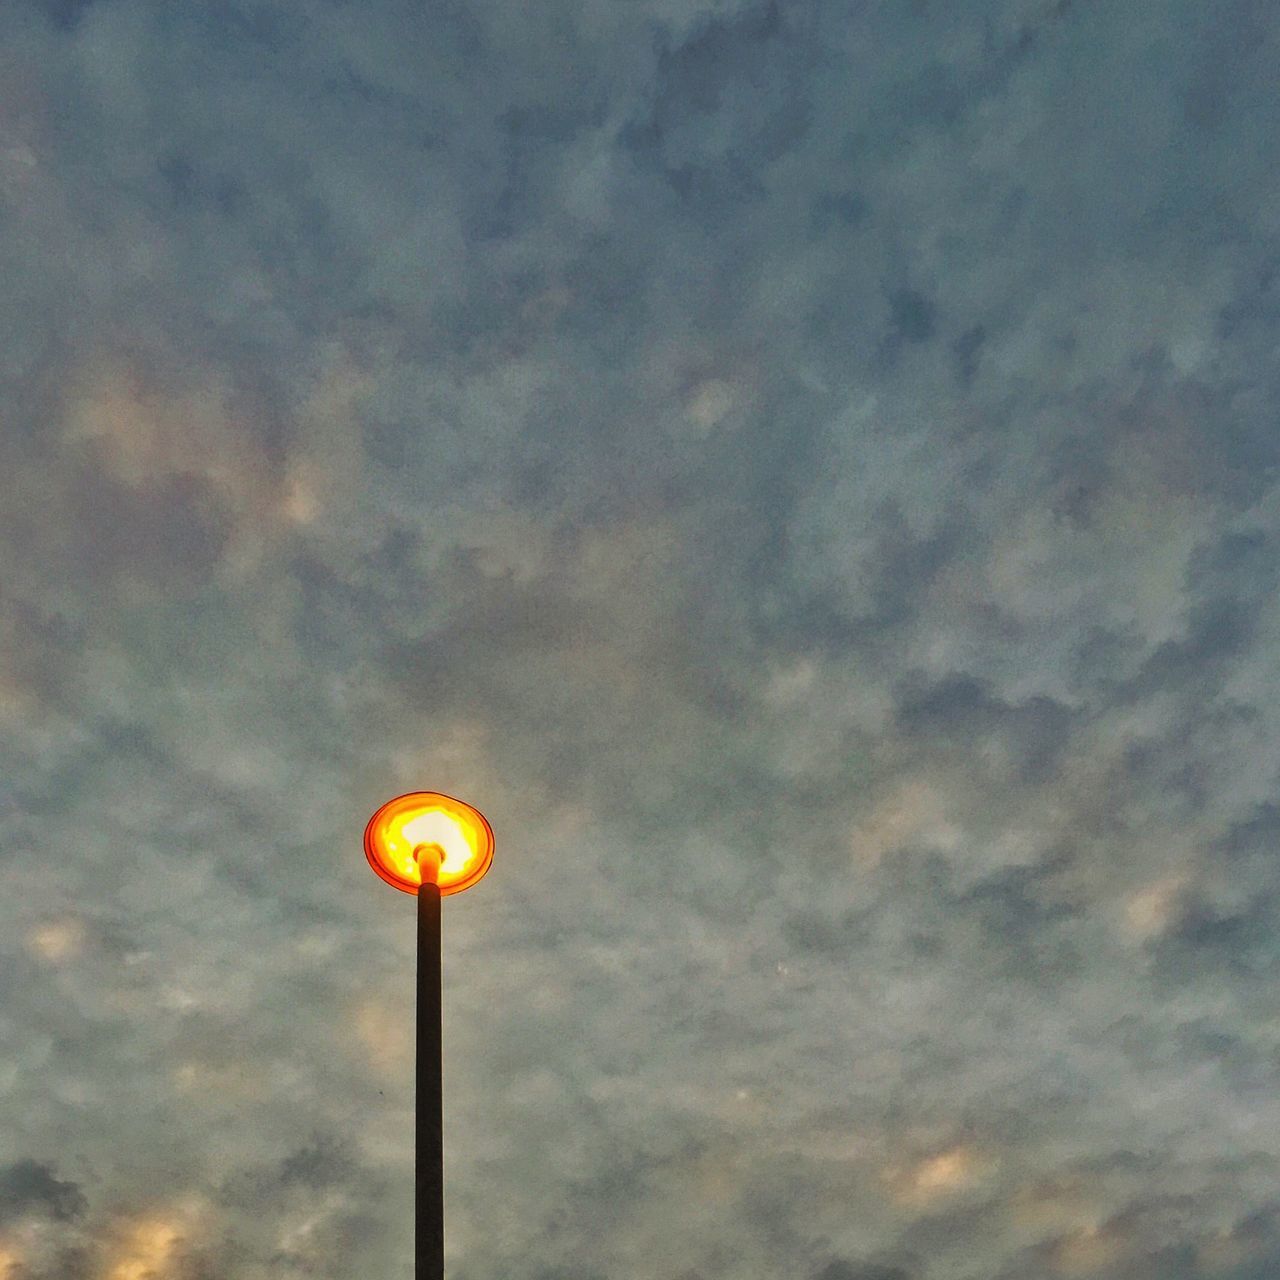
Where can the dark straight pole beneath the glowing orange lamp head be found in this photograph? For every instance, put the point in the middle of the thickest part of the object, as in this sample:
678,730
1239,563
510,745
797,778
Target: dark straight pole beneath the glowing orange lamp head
429,1139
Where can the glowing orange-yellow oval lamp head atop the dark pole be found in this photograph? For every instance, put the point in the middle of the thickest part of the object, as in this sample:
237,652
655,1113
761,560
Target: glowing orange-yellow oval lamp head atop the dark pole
429,819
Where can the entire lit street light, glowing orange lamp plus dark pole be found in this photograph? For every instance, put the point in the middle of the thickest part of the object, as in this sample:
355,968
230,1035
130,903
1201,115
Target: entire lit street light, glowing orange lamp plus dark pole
431,845
